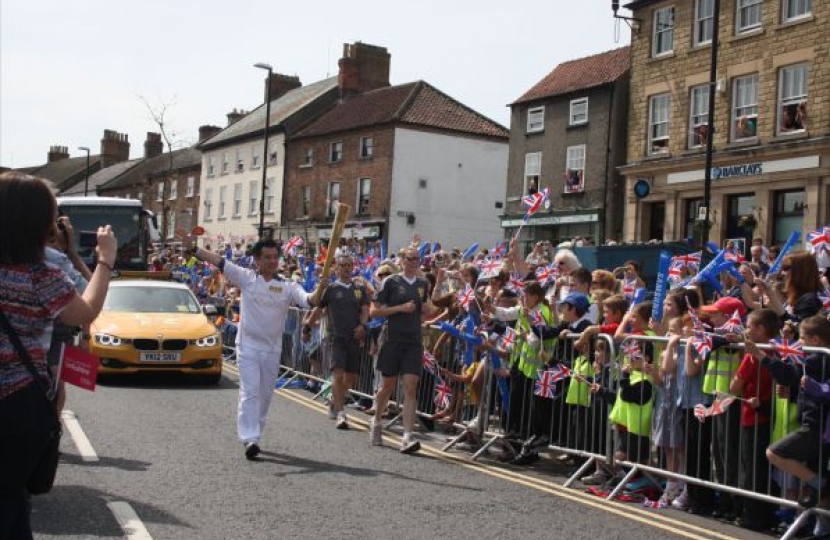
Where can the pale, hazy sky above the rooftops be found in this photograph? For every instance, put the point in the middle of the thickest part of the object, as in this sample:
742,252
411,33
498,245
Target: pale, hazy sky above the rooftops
69,70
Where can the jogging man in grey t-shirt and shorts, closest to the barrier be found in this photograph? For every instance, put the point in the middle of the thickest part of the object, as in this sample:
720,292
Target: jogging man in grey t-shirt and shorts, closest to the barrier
401,299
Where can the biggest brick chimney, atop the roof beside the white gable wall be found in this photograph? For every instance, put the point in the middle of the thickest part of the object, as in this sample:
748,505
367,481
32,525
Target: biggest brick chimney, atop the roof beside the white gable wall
363,68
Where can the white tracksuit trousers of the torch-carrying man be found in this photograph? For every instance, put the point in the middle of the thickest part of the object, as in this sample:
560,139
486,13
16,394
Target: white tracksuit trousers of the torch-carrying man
258,372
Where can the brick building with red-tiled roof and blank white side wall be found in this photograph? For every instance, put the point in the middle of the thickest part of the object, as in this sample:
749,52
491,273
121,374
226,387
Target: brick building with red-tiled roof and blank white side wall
406,158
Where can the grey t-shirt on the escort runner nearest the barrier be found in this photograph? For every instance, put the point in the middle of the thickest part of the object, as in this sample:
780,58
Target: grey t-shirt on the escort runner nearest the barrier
394,291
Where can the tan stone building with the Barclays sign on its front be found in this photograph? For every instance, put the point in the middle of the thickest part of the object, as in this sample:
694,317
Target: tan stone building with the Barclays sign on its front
771,118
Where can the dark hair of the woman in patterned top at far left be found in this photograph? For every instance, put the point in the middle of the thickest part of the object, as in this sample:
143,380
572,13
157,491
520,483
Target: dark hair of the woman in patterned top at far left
27,217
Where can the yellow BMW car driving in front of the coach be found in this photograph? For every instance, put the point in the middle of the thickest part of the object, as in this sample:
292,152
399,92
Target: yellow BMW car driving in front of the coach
149,325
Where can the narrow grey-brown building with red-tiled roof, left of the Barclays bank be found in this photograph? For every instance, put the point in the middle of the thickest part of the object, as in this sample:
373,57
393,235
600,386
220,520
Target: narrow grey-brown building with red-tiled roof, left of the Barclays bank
567,134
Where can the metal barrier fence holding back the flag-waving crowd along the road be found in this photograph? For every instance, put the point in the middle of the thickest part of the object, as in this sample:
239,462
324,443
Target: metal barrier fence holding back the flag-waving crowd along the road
657,435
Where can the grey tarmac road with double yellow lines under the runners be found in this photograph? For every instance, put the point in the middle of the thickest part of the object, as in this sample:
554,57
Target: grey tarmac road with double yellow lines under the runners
168,449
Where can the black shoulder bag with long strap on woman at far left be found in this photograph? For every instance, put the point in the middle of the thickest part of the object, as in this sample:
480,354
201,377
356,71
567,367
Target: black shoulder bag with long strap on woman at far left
43,476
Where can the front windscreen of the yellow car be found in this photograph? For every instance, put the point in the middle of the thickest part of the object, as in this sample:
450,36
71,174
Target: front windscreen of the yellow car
151,300
